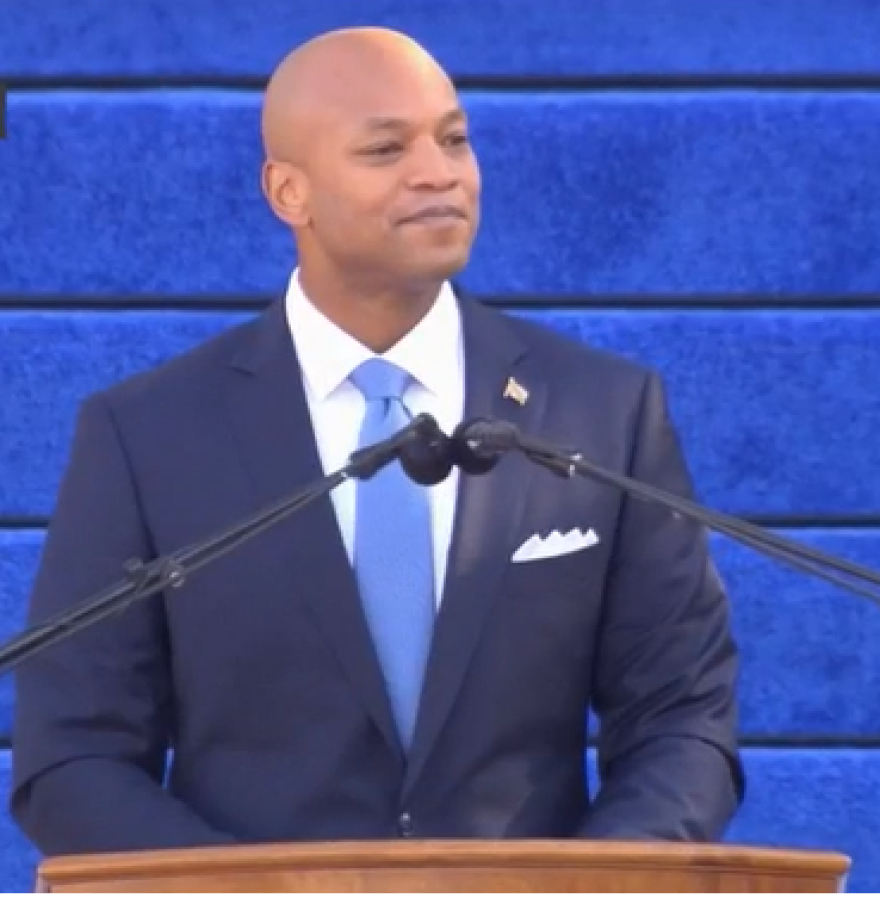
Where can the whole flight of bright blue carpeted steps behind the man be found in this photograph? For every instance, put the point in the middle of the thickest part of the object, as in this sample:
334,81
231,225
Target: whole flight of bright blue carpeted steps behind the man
721,228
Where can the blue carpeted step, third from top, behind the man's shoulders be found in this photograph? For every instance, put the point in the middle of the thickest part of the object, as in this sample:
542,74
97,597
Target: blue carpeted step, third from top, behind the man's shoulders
777,415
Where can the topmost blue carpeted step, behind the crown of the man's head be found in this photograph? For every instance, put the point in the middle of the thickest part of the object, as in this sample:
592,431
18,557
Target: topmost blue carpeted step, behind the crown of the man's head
550,37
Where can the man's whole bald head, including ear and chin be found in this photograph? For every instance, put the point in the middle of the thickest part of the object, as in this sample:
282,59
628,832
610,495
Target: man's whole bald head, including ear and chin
368,160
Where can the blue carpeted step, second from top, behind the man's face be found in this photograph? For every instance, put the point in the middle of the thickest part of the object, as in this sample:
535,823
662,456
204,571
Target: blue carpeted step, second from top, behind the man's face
673,193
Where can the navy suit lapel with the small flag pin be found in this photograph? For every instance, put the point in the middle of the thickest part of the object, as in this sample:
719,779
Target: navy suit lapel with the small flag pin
488,510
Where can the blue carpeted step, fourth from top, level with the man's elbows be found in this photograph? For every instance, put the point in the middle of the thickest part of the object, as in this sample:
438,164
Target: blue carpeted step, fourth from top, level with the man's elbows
797,680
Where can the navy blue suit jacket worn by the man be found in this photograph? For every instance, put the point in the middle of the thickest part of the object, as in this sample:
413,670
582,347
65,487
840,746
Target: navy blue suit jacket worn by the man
260,674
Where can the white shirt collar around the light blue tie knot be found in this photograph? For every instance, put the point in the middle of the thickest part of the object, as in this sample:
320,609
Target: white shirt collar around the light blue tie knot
430,352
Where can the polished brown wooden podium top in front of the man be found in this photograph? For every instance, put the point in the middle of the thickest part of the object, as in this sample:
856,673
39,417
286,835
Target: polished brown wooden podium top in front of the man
452,866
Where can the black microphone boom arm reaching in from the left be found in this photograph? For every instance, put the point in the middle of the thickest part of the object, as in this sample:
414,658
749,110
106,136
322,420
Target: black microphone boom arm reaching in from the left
170,571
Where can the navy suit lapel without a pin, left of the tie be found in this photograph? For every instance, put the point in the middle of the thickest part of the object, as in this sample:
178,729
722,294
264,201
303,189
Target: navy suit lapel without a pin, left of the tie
271,420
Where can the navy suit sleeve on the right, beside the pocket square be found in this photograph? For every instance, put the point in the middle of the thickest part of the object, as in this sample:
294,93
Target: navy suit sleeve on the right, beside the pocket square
666,669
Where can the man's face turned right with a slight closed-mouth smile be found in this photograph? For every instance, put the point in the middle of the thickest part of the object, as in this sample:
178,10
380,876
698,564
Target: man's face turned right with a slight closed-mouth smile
393,184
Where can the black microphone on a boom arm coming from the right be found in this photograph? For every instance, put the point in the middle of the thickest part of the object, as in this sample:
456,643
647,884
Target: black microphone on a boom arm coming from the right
483,441
